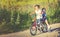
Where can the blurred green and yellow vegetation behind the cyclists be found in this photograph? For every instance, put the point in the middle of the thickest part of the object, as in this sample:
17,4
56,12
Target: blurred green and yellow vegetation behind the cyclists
14,14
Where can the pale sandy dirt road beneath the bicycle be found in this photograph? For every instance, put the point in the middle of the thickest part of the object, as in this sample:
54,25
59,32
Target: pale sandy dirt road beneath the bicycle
26,33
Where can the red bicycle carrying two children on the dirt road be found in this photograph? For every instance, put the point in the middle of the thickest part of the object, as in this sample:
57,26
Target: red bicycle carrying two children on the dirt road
42,27
